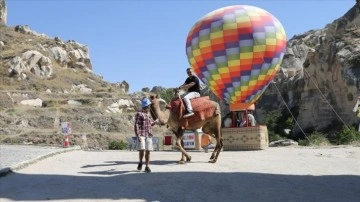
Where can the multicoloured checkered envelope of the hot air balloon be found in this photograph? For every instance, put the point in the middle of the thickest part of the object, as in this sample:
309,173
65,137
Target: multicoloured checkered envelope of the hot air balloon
236,51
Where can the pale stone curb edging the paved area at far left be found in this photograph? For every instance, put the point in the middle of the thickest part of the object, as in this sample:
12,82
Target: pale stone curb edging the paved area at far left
7,170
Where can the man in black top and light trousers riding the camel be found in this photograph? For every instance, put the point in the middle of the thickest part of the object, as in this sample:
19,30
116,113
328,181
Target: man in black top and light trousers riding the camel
192,85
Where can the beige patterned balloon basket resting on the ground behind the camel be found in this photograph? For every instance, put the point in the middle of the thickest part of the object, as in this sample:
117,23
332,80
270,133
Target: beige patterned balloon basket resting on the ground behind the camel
245,138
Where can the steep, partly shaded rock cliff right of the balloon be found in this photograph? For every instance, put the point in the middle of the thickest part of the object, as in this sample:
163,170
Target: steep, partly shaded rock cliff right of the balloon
319,77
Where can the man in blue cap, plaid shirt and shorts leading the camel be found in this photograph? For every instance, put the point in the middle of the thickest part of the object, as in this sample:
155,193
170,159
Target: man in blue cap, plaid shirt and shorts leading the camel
143,133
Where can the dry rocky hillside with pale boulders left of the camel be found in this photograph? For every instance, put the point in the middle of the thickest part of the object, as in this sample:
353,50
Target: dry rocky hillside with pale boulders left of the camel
45,81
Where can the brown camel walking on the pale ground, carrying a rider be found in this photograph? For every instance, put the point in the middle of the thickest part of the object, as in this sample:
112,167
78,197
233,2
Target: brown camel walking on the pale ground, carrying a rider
210,124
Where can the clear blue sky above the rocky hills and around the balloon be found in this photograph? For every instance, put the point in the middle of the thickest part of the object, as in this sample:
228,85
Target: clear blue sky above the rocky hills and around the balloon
143,41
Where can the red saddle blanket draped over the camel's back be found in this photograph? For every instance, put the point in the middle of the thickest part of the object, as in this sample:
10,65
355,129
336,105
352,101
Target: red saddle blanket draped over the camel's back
202,109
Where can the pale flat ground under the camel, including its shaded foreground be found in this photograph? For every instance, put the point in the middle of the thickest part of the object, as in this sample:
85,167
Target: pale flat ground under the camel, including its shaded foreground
274,174
